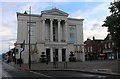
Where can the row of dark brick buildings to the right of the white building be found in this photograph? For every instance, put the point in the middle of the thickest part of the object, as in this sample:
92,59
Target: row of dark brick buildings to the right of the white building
100,49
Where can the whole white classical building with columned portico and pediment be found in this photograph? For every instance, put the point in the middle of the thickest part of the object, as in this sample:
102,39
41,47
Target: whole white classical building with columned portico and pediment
52,32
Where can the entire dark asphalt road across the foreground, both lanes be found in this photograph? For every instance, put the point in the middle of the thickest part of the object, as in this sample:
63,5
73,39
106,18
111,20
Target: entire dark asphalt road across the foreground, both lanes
9,72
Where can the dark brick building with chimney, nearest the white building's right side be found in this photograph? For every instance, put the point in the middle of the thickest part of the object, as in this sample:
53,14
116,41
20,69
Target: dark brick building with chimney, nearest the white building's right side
93,48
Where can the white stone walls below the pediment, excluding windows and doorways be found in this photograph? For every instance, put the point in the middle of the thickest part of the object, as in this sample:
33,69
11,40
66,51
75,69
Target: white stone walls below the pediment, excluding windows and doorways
40,35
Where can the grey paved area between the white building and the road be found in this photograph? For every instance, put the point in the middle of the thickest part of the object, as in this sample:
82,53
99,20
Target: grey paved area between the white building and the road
106,67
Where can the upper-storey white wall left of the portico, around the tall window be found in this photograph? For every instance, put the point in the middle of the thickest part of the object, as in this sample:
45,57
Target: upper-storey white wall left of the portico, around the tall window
22,31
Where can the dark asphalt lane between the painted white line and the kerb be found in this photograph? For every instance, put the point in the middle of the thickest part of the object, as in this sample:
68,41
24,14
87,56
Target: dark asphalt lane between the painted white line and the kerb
76,75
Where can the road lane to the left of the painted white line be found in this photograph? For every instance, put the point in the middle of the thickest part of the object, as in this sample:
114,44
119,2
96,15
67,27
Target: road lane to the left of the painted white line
10,72
